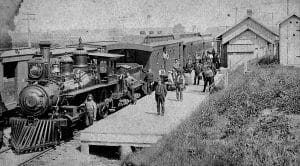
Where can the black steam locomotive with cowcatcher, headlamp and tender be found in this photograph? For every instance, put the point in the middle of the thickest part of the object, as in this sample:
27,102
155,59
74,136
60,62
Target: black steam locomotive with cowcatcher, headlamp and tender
57,86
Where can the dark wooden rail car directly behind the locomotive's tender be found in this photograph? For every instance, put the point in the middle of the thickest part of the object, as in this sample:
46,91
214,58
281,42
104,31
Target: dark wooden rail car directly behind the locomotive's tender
149,55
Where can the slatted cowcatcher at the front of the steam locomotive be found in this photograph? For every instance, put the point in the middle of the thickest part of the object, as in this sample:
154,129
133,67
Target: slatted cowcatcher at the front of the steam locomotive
30,137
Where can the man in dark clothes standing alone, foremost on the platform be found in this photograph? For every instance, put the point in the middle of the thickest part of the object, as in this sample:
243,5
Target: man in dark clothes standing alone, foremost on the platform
160,94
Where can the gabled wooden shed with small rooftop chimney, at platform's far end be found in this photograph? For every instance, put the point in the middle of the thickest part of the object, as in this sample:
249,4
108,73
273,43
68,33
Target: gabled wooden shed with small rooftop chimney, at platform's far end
246,40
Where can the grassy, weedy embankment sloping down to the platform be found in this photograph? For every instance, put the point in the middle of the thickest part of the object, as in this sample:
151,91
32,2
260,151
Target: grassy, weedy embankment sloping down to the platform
238,125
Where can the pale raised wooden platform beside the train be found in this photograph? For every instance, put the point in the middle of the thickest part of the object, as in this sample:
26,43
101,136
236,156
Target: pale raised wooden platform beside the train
139,125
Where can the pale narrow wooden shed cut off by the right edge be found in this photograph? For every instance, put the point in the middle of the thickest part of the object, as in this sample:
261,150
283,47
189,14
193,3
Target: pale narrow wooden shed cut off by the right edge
289,44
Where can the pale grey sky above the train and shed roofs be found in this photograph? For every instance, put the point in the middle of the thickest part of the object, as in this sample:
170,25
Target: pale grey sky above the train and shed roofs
104,14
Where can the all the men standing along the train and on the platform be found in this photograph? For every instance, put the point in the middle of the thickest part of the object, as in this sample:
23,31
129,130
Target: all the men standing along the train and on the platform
205,68
